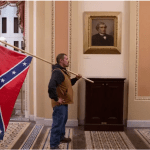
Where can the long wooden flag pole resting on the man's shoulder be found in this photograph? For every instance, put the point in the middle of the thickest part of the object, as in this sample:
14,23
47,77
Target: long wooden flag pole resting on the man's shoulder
41,59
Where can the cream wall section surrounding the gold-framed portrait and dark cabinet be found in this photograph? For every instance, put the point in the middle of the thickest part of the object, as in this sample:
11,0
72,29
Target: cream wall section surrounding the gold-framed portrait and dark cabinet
102,65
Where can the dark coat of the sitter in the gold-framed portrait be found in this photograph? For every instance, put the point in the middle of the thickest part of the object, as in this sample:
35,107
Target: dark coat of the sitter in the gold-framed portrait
106,40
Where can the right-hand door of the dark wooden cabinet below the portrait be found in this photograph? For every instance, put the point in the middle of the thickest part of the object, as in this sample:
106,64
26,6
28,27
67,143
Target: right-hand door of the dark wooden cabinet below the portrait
114,103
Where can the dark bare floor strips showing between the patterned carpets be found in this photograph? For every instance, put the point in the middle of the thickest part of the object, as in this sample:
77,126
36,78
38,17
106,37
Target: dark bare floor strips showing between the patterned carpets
79,137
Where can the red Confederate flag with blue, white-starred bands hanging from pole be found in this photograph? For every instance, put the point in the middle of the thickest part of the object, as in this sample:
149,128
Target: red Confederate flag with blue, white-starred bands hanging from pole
13,70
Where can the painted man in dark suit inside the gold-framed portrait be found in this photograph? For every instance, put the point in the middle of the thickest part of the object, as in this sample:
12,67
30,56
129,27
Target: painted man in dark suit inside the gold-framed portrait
102,39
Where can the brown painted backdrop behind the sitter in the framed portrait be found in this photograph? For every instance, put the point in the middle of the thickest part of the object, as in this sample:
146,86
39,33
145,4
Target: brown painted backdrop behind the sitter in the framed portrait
109,23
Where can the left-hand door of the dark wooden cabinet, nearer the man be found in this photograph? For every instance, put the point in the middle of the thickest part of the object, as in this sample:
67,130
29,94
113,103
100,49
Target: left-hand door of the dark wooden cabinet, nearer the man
95,101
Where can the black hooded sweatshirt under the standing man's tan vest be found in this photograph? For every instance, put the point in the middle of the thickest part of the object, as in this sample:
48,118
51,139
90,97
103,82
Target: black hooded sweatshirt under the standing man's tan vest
56,79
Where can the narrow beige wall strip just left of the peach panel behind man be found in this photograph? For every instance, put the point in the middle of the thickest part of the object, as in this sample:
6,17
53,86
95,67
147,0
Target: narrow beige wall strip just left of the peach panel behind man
47,56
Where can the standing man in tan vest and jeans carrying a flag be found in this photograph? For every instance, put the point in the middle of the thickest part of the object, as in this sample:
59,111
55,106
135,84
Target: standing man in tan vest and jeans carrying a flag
61,93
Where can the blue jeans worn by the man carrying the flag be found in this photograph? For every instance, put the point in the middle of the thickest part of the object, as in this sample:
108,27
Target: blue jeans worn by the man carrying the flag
60,116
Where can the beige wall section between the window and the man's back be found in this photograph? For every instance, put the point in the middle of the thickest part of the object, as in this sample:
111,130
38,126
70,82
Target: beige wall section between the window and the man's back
43,50
